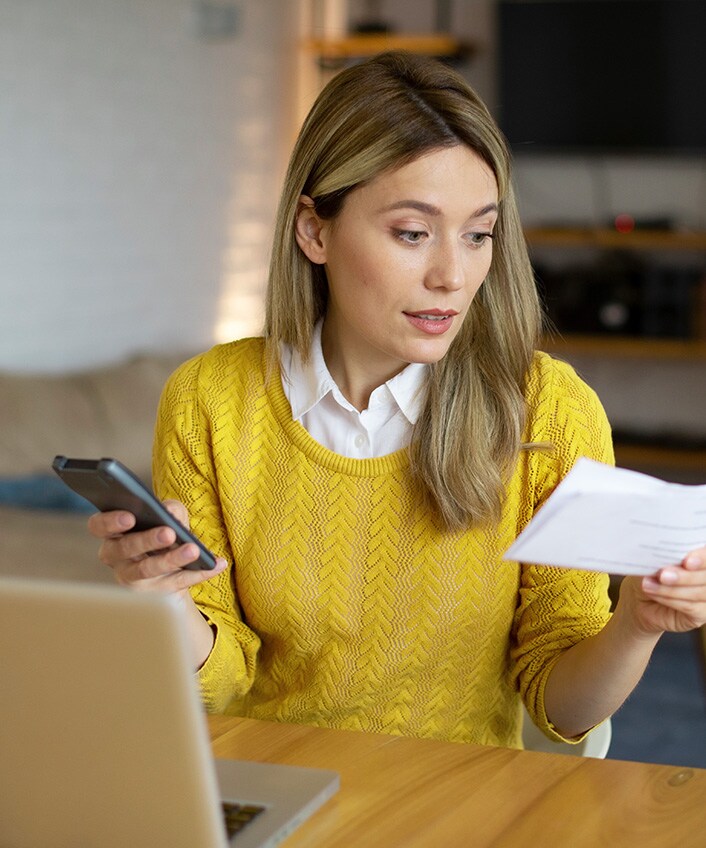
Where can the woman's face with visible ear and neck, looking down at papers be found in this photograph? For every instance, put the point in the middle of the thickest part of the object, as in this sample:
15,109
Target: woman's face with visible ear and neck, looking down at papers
404,259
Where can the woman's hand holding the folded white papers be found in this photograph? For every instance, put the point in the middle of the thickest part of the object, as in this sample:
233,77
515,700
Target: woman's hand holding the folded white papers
673,599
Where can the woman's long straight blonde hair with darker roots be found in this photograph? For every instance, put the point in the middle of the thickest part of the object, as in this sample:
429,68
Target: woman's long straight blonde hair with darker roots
370,118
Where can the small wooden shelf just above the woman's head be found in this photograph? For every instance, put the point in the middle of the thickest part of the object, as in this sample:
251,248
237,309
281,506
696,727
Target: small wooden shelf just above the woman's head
362,46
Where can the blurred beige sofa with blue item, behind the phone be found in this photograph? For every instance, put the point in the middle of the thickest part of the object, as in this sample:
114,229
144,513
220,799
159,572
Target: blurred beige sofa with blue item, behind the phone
107,411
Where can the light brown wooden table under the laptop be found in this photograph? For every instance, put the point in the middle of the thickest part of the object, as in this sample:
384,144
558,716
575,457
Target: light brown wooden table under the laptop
412,793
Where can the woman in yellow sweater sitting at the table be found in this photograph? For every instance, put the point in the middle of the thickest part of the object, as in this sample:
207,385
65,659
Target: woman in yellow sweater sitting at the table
361,470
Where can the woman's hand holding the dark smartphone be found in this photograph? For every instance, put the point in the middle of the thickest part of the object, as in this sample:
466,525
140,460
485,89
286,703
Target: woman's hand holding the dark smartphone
148,560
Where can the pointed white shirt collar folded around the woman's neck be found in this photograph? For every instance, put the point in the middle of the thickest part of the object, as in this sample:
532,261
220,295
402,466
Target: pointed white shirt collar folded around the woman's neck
306,384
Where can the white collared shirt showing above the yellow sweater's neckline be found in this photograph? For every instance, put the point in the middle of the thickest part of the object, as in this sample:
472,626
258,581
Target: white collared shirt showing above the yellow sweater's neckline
319,406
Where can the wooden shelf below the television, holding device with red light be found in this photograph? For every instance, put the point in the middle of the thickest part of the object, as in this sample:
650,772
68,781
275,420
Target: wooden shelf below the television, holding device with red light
637,239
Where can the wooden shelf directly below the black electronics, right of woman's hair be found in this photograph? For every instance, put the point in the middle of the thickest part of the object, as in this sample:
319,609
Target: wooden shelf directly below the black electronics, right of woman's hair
623,346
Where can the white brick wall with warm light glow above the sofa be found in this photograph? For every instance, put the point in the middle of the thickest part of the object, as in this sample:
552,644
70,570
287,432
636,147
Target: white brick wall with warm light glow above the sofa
140,162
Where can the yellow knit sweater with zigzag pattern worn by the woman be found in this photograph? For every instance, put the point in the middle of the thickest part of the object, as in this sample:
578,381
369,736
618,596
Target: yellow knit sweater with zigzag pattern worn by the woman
346,604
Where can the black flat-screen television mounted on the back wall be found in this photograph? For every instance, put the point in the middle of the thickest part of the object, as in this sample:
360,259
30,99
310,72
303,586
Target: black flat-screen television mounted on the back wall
603,76
